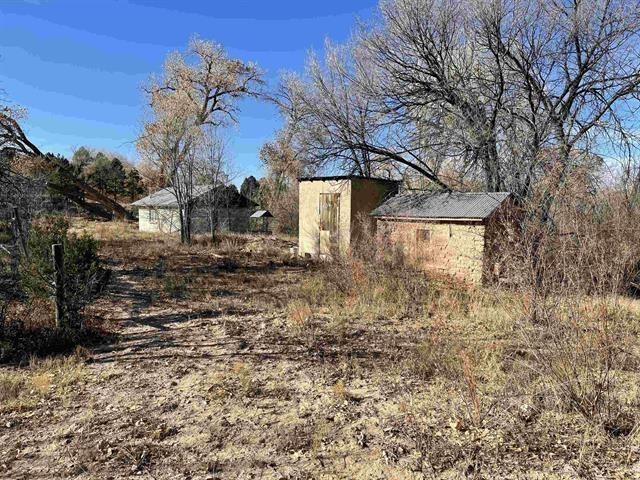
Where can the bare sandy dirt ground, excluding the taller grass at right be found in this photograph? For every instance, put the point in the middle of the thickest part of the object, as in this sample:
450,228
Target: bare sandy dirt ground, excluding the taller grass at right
211,377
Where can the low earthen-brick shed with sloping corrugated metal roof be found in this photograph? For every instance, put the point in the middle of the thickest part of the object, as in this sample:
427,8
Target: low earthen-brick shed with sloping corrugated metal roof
445,232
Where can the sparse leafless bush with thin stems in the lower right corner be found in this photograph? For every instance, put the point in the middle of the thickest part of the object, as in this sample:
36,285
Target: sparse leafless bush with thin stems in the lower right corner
580,347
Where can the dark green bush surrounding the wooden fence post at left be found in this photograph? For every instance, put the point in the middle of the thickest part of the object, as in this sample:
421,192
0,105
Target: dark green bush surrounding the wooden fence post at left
28,327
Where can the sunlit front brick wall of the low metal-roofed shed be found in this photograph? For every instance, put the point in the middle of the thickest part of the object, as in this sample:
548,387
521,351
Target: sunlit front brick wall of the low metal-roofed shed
455,249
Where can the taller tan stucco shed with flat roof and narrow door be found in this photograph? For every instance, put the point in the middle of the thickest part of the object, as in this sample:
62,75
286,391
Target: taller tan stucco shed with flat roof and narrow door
332,208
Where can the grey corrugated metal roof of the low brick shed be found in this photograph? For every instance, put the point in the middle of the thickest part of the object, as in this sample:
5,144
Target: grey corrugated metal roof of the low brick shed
477,206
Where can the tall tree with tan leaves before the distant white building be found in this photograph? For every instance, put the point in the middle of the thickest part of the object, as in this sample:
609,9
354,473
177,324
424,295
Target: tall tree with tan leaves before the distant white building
199,89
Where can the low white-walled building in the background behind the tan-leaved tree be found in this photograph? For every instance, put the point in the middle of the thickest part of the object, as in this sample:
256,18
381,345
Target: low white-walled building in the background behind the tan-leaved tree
159,212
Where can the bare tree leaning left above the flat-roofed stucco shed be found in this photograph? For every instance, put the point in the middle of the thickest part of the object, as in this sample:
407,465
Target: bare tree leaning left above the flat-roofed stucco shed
340,125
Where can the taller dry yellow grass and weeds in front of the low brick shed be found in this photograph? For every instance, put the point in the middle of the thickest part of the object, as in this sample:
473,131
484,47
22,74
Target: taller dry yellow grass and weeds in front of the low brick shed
477,344
